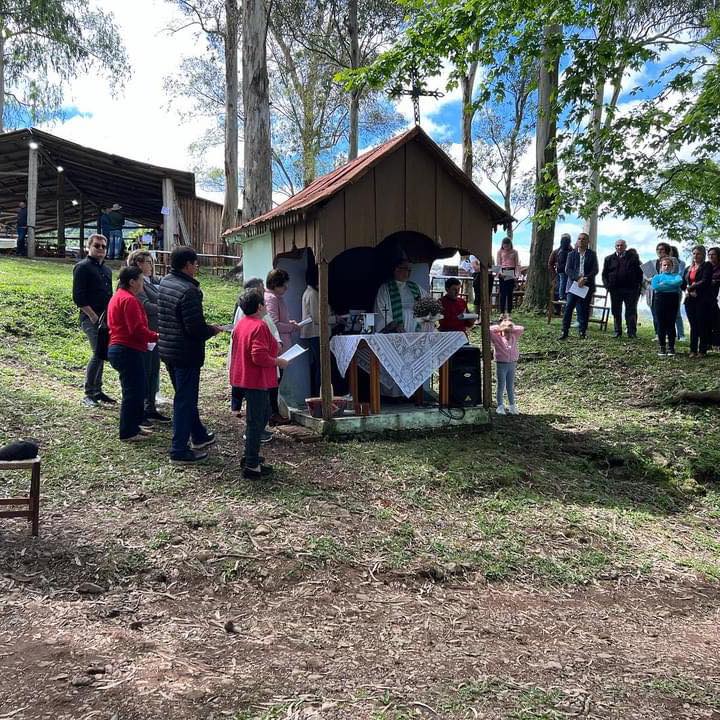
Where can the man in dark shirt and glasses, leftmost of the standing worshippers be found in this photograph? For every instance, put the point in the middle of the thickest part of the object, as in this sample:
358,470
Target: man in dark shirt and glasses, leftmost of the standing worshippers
92,290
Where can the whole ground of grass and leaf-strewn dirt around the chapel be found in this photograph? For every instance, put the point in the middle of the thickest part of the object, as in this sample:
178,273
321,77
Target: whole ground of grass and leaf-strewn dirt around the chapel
562,563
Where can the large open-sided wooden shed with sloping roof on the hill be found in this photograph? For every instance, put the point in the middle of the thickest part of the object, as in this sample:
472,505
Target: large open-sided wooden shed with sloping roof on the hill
67,183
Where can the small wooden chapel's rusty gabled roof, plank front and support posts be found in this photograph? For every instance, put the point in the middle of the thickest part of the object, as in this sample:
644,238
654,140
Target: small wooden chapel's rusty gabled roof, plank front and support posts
408,189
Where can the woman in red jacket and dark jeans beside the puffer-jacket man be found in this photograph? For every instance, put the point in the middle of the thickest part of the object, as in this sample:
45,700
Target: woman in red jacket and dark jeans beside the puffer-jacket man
129,339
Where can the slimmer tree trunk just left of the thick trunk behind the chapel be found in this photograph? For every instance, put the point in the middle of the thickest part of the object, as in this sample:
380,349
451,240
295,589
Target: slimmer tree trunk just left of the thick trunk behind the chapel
230,203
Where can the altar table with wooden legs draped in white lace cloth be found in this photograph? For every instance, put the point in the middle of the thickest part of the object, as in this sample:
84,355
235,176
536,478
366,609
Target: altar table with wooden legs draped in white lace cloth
405,360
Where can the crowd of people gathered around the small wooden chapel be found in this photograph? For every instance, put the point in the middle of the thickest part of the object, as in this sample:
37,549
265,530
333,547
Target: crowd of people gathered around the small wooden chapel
148,321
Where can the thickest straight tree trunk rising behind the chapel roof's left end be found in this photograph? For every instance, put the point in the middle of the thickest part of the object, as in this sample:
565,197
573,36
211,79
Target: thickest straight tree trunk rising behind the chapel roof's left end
257,189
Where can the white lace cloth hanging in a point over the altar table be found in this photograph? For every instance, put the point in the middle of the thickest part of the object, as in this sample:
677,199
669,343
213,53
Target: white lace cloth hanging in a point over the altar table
406,359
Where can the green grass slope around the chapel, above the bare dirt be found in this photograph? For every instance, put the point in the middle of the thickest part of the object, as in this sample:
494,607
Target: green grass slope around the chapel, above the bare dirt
588,484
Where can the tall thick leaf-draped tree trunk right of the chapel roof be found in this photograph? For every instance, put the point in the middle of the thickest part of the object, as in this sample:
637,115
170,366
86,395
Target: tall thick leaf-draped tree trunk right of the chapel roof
546,175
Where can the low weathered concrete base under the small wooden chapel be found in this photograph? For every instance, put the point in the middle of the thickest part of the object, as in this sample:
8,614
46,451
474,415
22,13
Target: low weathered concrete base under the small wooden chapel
394,419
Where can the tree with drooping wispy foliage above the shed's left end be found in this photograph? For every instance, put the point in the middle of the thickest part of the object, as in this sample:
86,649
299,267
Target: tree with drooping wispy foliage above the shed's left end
45,44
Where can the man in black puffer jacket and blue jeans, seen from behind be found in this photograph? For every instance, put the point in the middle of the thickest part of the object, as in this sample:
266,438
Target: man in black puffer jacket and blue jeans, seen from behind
183,333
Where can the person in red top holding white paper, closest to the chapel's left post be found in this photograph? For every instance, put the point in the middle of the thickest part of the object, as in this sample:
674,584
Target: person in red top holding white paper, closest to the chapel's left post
253,367
